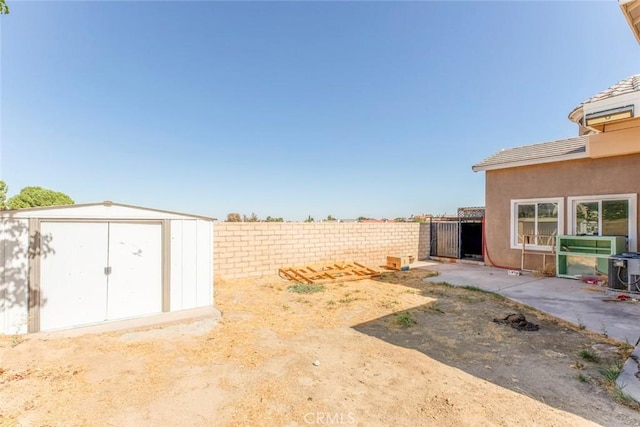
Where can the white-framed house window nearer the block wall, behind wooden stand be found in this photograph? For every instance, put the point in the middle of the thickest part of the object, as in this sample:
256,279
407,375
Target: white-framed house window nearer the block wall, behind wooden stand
535,222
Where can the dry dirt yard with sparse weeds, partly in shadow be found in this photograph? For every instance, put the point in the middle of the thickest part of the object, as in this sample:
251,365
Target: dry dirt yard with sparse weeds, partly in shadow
337,357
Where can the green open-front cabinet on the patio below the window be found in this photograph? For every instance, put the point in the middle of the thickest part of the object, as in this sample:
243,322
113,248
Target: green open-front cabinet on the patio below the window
586,255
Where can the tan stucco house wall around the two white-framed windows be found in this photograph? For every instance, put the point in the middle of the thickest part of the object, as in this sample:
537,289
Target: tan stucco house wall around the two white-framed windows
582,177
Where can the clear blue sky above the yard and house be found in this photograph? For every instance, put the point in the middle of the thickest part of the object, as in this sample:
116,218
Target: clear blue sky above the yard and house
290,109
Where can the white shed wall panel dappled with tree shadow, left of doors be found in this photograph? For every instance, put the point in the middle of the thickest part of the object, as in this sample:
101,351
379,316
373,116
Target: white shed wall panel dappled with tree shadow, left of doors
14,268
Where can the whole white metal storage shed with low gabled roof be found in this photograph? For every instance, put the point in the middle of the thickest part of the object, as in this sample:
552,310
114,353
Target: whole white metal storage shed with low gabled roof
69,266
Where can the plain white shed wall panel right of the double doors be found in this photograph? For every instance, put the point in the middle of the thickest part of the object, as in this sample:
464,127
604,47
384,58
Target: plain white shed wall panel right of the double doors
191,264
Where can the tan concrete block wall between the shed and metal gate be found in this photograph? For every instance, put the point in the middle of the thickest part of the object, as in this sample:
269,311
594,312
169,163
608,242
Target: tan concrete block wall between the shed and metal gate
256,249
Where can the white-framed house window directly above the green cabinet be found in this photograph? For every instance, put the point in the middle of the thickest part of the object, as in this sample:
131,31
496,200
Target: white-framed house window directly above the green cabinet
610,215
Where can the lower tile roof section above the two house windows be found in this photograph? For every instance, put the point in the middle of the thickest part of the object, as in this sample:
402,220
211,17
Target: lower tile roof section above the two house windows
546,152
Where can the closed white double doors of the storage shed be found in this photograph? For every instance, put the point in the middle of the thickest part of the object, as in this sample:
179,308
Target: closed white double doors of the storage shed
96,271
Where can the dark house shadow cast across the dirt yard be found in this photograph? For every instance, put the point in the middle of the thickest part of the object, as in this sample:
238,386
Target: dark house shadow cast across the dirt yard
548,364
